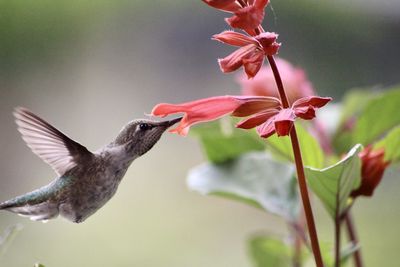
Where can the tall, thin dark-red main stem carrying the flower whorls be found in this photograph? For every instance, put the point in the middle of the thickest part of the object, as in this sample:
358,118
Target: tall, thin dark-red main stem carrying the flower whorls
300,170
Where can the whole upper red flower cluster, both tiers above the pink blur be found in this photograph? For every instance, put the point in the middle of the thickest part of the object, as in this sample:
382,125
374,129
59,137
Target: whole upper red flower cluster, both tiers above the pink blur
254,45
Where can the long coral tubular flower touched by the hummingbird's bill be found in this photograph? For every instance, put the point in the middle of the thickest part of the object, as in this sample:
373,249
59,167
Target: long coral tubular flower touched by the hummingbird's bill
212,108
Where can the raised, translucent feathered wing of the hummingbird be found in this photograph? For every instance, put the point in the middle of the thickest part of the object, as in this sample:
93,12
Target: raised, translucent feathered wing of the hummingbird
51,145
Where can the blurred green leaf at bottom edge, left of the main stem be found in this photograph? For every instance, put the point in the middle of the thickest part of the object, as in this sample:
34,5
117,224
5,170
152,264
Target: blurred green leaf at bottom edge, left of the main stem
270,252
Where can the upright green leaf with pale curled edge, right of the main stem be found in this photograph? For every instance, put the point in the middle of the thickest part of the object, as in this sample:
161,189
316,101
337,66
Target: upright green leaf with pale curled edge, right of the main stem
334,184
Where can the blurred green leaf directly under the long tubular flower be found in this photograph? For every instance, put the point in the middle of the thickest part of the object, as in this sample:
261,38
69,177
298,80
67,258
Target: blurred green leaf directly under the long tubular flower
221,141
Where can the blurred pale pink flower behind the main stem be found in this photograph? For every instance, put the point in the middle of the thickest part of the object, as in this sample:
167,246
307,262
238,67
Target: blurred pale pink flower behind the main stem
294,79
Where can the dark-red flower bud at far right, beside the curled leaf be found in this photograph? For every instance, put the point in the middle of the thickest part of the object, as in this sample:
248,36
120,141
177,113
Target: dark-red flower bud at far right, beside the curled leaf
373,167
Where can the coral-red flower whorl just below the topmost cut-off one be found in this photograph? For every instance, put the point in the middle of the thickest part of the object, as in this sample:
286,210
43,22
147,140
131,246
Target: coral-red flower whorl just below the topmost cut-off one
251,53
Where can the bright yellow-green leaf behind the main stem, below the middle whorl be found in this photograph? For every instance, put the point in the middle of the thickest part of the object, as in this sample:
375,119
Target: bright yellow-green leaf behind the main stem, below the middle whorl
311,151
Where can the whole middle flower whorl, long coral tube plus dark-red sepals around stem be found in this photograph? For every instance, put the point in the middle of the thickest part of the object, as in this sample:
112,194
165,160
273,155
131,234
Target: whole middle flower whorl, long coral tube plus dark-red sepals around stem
266,113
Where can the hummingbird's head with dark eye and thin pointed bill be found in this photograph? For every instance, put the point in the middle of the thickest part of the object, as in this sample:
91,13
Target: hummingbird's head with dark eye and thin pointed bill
139,136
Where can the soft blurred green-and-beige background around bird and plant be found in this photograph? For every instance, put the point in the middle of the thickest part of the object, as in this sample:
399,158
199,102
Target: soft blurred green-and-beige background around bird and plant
88,67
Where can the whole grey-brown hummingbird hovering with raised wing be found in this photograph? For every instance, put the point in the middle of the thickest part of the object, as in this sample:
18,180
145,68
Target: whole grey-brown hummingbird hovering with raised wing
85,180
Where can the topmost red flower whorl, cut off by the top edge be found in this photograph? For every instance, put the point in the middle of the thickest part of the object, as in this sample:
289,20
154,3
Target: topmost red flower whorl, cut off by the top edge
247,17
